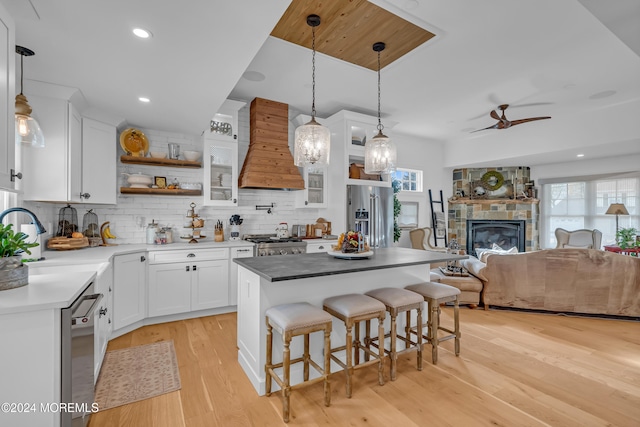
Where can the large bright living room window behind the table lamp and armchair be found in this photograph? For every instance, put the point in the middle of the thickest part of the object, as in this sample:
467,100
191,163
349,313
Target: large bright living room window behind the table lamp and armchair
582,204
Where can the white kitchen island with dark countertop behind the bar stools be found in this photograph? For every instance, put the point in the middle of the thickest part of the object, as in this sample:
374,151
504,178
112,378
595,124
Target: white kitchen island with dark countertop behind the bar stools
264,282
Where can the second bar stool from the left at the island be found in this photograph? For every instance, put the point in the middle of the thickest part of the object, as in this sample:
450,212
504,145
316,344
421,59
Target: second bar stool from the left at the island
353,309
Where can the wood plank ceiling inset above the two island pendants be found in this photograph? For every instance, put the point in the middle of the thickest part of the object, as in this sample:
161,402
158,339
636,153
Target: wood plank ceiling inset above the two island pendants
348,30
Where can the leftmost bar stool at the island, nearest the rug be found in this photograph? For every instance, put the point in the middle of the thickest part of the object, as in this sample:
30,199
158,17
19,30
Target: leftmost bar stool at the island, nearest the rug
291,320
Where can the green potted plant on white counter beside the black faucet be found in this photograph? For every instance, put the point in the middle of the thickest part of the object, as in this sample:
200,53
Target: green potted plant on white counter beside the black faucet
13,273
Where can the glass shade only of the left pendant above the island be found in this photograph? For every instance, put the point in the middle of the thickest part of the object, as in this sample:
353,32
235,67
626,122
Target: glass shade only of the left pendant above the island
312,144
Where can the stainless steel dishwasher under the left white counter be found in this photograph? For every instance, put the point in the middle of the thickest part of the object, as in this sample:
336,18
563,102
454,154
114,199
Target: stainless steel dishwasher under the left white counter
77,380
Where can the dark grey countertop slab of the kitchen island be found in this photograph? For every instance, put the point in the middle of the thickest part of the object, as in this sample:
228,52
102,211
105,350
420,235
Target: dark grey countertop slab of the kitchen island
291,267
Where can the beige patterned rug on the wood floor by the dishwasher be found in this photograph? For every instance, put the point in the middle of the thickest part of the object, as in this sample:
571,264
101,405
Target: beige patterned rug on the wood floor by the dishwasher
137,373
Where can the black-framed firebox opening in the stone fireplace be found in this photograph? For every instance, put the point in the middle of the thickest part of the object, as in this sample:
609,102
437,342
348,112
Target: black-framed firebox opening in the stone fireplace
484,234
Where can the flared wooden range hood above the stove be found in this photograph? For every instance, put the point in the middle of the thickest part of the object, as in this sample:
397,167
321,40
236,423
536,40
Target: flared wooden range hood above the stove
269,162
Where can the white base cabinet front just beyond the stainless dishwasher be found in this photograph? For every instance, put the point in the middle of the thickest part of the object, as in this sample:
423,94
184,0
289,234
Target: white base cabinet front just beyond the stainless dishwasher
104,324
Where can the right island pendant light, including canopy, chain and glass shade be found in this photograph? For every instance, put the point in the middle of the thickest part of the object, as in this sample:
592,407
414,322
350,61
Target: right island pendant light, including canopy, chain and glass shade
379,152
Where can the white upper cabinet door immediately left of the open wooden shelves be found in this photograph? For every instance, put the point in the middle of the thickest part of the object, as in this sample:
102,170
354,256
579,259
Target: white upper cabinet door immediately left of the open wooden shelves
98,162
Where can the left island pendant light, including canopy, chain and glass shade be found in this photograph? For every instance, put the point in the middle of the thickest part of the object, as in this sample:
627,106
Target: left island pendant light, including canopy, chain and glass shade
312,140
